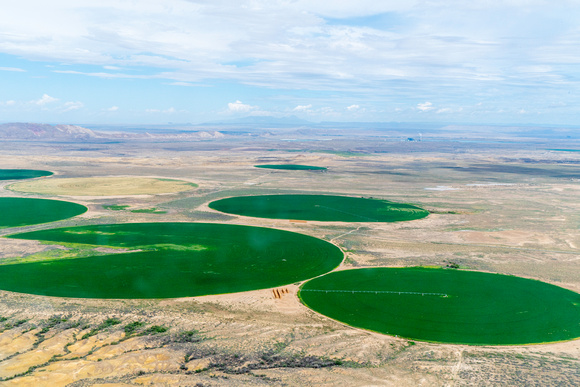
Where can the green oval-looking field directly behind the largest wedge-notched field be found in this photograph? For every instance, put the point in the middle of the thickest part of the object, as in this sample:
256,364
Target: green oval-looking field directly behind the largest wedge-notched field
325,208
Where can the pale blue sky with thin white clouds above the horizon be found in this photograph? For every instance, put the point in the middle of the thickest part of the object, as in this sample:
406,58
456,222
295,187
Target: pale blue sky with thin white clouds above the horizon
160,61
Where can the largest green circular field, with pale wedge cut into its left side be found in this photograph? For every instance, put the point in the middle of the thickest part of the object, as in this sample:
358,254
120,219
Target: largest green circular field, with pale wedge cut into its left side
175,260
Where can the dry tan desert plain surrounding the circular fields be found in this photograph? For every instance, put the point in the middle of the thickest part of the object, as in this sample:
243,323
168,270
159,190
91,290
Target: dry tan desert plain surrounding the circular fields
508,206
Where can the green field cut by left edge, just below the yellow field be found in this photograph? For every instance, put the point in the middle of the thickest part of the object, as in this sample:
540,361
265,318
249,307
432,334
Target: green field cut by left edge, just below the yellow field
17,212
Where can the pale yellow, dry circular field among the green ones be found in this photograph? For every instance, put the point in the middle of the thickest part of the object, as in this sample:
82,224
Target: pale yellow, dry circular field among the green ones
103,186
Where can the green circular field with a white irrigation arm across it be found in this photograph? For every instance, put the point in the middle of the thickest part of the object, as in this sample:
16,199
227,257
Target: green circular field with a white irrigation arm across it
449,306
